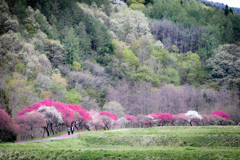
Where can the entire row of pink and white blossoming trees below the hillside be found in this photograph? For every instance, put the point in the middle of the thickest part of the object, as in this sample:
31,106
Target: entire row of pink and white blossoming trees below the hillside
48,117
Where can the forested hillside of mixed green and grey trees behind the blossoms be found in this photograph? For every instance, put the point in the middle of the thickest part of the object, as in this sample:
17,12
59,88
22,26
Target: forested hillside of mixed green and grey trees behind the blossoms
144,57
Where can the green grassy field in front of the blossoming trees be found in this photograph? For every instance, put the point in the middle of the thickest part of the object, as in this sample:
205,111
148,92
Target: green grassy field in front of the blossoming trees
211,142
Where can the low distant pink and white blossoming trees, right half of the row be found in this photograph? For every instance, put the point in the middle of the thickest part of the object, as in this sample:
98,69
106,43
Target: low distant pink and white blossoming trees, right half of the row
189,118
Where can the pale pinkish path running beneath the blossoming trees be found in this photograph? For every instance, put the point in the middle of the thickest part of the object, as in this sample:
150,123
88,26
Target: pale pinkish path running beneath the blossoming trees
66,136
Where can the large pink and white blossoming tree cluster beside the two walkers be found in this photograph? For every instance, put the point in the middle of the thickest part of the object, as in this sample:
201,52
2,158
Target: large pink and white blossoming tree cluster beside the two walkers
49,117
